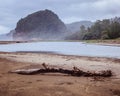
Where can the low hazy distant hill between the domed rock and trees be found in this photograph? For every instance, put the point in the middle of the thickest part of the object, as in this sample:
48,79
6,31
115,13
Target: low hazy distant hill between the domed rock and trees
75,26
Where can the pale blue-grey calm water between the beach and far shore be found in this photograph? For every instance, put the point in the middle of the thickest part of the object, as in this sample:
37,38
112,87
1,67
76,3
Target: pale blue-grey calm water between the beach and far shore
67,48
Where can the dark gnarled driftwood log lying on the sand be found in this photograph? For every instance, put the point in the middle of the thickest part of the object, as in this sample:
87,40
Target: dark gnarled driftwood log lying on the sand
75,72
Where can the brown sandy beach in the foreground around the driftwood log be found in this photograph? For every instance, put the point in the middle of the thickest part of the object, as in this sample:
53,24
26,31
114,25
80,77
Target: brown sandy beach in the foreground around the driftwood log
56,84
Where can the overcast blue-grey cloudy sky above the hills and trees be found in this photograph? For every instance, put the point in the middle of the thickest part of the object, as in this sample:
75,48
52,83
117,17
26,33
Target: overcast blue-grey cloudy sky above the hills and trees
68,10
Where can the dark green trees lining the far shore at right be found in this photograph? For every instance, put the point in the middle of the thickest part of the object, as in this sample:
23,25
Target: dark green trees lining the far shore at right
105,29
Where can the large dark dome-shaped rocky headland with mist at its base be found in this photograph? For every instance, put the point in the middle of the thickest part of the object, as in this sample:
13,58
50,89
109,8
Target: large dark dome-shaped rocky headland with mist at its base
44,25
